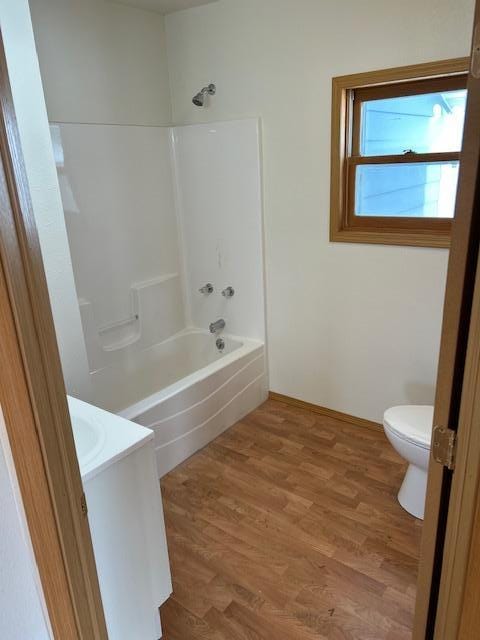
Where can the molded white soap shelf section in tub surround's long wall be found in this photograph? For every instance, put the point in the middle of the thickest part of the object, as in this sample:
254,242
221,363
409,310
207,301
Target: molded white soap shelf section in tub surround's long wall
156,314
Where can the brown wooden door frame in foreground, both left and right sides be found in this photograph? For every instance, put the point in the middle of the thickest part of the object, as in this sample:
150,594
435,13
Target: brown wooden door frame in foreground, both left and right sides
33,400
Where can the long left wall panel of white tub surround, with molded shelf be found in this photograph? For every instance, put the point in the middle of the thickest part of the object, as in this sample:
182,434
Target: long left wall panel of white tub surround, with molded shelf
118,198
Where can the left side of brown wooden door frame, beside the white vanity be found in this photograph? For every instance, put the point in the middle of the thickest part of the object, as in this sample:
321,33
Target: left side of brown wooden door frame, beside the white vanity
34,404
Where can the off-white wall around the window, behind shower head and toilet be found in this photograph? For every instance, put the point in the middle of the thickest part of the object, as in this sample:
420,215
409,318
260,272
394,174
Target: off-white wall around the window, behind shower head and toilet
351,327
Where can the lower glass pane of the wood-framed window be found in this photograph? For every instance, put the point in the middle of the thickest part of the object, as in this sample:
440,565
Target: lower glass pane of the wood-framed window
417,190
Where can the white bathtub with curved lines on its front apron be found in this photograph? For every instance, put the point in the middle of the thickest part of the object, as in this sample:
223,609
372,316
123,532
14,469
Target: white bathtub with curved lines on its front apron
185,390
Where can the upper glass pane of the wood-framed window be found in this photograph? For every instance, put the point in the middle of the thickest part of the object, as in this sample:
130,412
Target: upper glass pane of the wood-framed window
423,123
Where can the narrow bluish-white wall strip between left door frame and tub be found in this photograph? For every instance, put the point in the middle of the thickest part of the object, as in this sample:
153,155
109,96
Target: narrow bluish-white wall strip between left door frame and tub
47,206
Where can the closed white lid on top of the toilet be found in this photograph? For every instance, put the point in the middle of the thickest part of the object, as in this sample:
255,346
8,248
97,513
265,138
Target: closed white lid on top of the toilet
411,422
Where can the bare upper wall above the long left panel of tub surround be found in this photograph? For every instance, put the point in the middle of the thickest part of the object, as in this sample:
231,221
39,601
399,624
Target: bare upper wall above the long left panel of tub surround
102,62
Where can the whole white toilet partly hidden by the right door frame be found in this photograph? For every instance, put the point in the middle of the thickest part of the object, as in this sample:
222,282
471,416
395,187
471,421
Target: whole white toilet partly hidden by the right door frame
409,430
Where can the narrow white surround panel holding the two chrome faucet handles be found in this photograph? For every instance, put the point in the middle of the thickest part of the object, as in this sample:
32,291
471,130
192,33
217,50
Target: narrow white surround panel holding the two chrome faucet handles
220,208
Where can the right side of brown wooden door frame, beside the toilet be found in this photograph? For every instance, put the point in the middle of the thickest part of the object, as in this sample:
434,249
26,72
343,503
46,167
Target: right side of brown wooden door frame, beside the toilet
452,495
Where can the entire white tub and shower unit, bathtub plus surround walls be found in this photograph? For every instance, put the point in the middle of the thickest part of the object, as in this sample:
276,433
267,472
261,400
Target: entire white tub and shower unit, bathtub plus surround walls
145,322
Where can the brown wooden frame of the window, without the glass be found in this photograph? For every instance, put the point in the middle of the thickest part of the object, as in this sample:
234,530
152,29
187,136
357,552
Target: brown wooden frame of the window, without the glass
345,226
